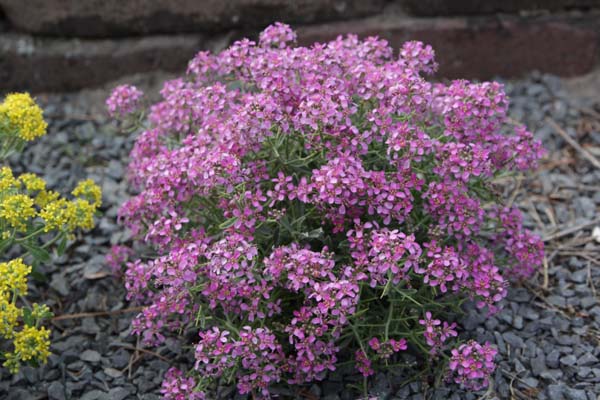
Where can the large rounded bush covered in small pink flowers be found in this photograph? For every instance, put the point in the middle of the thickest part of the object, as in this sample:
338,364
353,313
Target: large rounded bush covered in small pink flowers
313,206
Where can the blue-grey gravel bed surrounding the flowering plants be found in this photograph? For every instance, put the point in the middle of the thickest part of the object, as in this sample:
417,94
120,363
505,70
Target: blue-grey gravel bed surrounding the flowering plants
547,334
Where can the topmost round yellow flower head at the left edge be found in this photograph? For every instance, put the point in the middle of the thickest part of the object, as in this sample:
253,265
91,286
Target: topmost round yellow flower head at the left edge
24,116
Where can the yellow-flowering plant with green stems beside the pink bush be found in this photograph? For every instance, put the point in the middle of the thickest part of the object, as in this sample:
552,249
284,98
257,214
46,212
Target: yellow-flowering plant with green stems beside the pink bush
32,219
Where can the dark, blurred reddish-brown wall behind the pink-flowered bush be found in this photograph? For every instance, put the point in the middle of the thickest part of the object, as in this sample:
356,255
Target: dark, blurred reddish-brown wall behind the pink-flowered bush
56,45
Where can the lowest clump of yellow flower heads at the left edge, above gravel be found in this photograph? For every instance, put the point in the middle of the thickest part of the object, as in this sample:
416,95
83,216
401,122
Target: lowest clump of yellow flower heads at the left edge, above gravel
29,342
